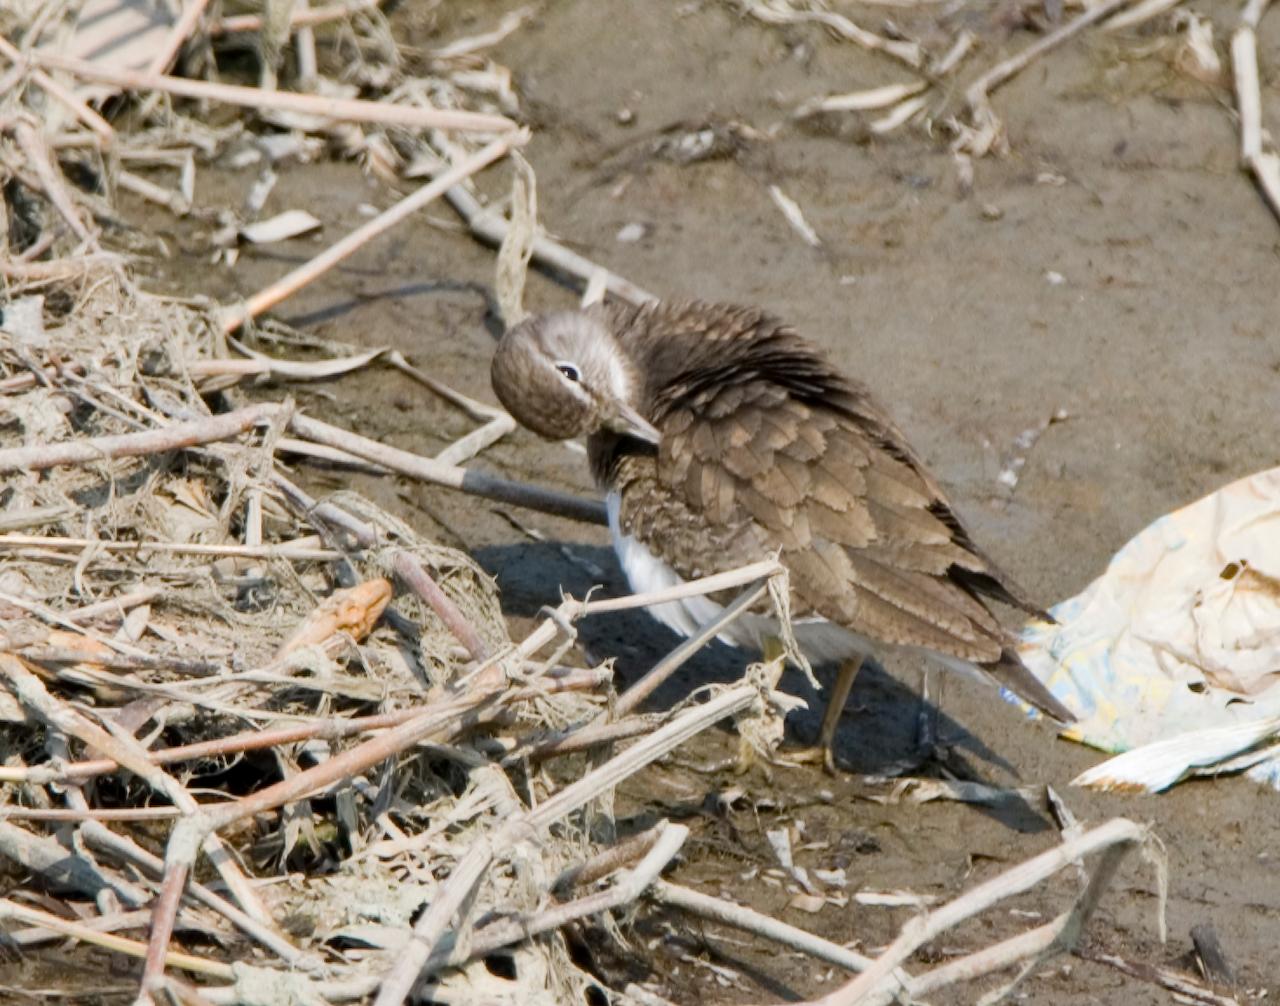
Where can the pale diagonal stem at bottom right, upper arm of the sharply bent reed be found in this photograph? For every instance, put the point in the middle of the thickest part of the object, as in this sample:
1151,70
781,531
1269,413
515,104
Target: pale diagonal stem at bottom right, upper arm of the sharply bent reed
877,984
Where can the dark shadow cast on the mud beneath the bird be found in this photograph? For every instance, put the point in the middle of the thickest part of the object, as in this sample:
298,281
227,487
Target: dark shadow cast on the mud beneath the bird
880,730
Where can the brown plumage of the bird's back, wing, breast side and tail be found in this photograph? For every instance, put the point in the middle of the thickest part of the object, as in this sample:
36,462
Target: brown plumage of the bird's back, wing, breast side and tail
775,450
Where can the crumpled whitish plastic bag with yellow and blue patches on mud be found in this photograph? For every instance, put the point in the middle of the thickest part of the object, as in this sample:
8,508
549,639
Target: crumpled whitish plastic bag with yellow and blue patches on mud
1173,655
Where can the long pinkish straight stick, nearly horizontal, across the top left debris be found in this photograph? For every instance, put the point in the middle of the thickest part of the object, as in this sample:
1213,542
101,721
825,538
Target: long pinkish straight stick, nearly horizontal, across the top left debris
333,108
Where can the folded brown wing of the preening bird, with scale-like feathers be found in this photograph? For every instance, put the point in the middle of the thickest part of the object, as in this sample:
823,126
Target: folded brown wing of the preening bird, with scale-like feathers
857,527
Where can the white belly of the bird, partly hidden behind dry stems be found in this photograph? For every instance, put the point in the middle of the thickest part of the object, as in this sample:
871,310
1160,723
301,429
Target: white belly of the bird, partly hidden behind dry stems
821,641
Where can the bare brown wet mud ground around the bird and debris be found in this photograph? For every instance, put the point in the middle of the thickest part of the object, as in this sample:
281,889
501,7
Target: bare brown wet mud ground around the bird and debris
1116,266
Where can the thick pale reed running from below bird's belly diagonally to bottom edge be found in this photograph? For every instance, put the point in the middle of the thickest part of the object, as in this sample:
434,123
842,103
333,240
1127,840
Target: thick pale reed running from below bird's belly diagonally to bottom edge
468,874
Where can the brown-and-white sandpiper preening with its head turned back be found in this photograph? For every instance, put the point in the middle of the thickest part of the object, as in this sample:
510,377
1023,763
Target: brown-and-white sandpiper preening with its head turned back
723,437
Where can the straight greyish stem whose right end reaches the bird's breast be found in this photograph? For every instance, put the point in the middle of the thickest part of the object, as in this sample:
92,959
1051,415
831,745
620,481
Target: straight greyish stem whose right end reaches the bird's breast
452,477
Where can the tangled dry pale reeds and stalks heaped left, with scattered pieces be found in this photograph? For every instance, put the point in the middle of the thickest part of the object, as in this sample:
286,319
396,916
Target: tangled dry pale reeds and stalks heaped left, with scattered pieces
294,731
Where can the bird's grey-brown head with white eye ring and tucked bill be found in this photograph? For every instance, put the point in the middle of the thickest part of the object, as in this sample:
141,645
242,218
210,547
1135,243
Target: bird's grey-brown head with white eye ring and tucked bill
565,376
